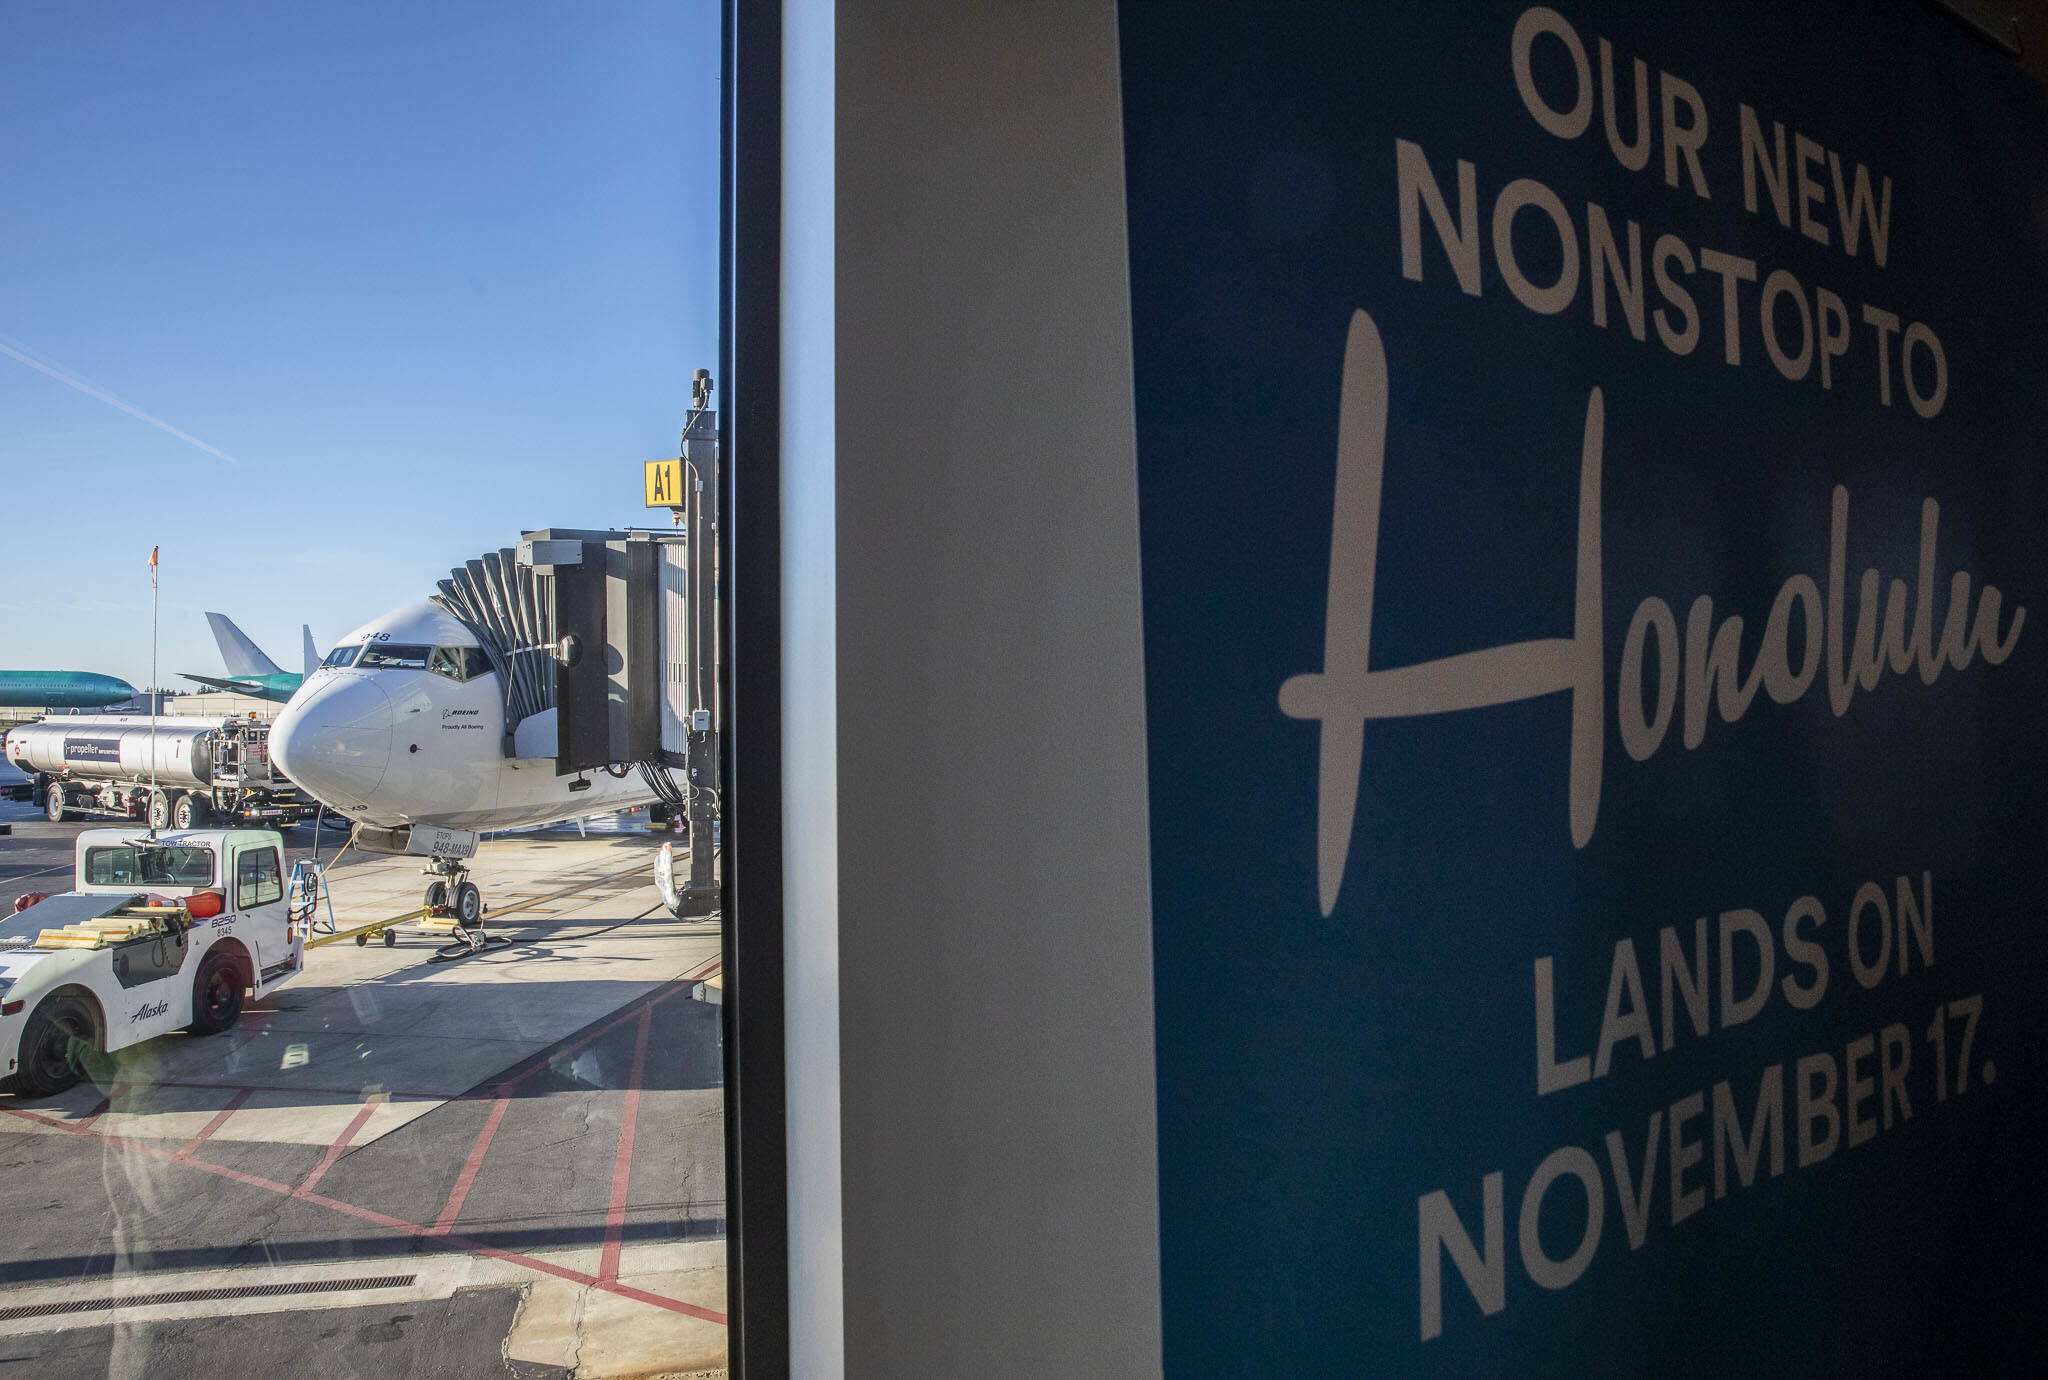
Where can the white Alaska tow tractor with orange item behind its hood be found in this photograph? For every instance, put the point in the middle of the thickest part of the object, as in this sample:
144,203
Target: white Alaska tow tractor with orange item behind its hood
157,937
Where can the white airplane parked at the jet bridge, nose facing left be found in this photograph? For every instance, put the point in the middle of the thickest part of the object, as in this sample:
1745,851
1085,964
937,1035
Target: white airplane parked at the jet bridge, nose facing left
402,730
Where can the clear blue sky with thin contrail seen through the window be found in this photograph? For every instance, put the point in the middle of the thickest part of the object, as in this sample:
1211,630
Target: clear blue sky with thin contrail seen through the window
425,275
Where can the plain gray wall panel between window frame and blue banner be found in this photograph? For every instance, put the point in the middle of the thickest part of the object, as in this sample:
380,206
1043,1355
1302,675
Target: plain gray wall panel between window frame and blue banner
998,1133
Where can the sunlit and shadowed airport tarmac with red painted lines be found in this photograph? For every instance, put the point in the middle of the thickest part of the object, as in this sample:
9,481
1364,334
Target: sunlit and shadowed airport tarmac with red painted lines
517,1156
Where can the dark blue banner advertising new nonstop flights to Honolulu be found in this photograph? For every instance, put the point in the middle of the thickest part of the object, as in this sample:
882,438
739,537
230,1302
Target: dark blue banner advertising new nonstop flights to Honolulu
1596,537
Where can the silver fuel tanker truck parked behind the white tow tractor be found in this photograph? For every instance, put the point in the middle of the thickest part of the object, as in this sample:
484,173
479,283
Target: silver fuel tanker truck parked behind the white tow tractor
101,767
